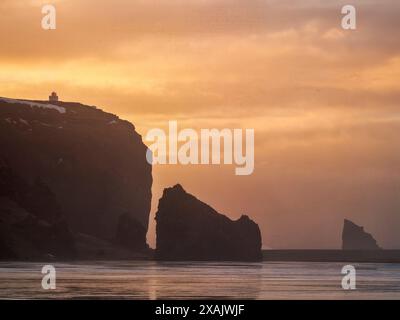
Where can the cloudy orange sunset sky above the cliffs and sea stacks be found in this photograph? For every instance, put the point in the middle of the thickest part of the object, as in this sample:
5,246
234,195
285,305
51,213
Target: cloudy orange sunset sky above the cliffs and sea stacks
323,101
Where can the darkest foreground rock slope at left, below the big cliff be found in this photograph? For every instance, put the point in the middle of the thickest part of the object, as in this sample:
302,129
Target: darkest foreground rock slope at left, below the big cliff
31,223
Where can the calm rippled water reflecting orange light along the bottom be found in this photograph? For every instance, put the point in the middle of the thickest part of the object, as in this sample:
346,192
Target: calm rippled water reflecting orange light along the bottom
152,280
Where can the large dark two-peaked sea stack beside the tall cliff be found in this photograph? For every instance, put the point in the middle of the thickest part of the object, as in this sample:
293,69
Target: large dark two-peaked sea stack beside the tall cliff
188,229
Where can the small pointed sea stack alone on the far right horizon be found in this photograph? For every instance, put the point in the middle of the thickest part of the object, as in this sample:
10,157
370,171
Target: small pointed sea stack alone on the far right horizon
355,238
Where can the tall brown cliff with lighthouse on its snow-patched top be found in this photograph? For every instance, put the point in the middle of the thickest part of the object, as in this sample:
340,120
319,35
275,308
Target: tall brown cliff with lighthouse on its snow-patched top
93,164
